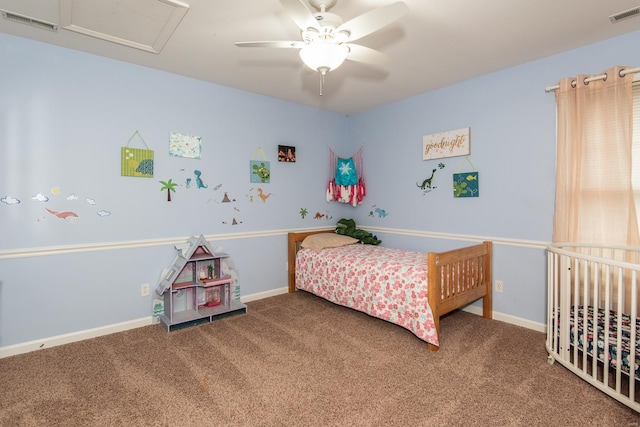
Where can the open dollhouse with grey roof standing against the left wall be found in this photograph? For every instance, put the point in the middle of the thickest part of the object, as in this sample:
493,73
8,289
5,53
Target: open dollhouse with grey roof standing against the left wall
194,287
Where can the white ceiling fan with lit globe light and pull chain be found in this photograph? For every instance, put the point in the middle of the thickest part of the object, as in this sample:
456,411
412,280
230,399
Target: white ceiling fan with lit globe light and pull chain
327,39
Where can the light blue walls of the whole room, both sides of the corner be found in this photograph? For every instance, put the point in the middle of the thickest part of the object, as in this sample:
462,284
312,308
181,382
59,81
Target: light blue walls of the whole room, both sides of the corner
64,116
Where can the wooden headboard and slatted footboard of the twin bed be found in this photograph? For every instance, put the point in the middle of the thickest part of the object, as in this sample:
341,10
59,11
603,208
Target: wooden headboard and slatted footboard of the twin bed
456,278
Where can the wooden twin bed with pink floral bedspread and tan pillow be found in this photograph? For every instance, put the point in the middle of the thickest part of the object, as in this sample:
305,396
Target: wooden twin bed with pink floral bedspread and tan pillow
411,289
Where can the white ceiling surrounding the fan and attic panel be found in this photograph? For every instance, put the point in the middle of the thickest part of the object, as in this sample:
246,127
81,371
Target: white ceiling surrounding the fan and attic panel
438,43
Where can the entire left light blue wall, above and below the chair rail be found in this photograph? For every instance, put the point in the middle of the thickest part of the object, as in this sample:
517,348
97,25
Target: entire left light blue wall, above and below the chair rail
64,115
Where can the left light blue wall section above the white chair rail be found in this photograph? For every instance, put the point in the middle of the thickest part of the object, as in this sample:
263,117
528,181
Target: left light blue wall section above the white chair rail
66,114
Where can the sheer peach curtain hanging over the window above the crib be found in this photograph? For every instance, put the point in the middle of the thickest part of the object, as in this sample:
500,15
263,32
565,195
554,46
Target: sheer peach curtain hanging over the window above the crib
594,194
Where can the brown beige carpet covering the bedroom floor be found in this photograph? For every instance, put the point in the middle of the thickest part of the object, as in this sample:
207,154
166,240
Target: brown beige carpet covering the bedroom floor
297,360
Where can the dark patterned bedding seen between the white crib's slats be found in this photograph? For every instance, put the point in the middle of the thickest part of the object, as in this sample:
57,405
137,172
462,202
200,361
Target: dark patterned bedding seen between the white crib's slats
612,336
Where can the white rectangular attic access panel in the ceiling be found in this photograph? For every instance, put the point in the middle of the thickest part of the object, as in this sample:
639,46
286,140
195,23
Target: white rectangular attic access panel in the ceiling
141,24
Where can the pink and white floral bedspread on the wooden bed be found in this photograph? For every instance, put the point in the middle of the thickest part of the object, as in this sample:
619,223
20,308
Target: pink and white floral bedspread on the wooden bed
389,284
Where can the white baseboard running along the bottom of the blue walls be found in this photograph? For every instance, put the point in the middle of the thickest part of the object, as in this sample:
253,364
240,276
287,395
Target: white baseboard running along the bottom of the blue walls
13,350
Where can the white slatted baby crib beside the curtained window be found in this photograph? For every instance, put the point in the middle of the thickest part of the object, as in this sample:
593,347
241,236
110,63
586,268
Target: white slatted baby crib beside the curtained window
592,303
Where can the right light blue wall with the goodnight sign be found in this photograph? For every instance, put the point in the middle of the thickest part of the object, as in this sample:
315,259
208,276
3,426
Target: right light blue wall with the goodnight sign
512,121
